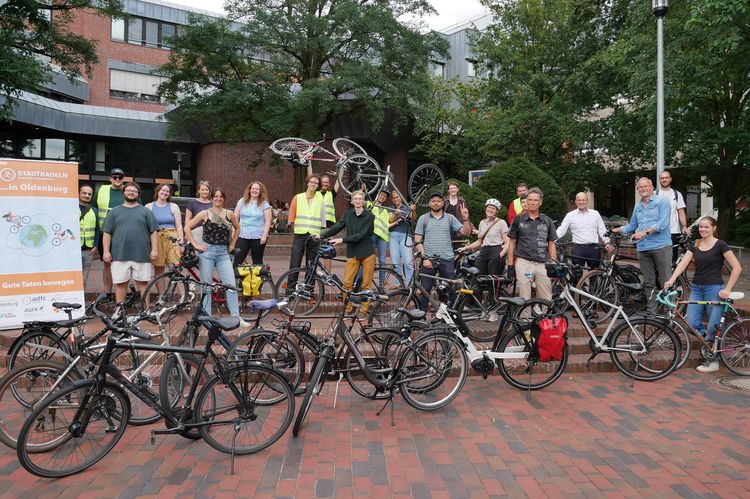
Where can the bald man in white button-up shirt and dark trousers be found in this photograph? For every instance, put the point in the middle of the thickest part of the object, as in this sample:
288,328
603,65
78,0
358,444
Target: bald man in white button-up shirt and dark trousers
587,227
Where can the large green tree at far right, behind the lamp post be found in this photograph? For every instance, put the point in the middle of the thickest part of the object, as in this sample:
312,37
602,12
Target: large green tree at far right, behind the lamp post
707,95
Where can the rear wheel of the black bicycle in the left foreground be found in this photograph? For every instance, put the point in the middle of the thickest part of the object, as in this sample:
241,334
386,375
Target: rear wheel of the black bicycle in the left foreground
253,423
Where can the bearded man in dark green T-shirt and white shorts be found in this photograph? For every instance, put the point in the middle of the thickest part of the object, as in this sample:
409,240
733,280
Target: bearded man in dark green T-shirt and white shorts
130,242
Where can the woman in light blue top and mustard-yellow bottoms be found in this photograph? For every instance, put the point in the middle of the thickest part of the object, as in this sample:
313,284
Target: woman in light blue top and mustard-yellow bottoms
169,218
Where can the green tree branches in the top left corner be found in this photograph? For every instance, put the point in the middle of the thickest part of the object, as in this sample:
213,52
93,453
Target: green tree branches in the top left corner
33,33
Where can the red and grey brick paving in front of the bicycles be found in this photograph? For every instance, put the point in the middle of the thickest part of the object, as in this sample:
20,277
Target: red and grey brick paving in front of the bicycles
588,435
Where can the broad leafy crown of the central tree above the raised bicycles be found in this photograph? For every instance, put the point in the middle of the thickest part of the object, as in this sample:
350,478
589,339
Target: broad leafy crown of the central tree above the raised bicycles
290,67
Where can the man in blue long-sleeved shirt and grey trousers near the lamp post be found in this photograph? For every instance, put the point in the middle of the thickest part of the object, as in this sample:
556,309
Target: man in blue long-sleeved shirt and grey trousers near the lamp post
650,227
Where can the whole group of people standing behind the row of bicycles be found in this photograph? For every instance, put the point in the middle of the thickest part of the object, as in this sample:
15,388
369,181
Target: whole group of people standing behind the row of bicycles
135,241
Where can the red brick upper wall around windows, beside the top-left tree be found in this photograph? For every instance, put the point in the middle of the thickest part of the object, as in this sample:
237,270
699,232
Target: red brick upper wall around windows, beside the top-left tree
98,28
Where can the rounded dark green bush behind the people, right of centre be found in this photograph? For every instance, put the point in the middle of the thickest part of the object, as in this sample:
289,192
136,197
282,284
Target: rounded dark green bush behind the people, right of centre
500,182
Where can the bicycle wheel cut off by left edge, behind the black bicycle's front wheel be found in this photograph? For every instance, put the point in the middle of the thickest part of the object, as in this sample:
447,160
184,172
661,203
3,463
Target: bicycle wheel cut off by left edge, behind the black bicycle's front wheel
23,387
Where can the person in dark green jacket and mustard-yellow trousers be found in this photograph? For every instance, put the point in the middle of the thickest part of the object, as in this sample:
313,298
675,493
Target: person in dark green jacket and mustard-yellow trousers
359,224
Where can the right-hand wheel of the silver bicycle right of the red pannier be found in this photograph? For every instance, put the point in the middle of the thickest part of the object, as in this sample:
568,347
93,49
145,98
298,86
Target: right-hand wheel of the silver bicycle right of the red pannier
648,352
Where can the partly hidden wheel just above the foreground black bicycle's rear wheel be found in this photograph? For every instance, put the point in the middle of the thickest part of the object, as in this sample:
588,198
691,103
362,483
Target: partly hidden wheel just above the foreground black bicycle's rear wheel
265,346
